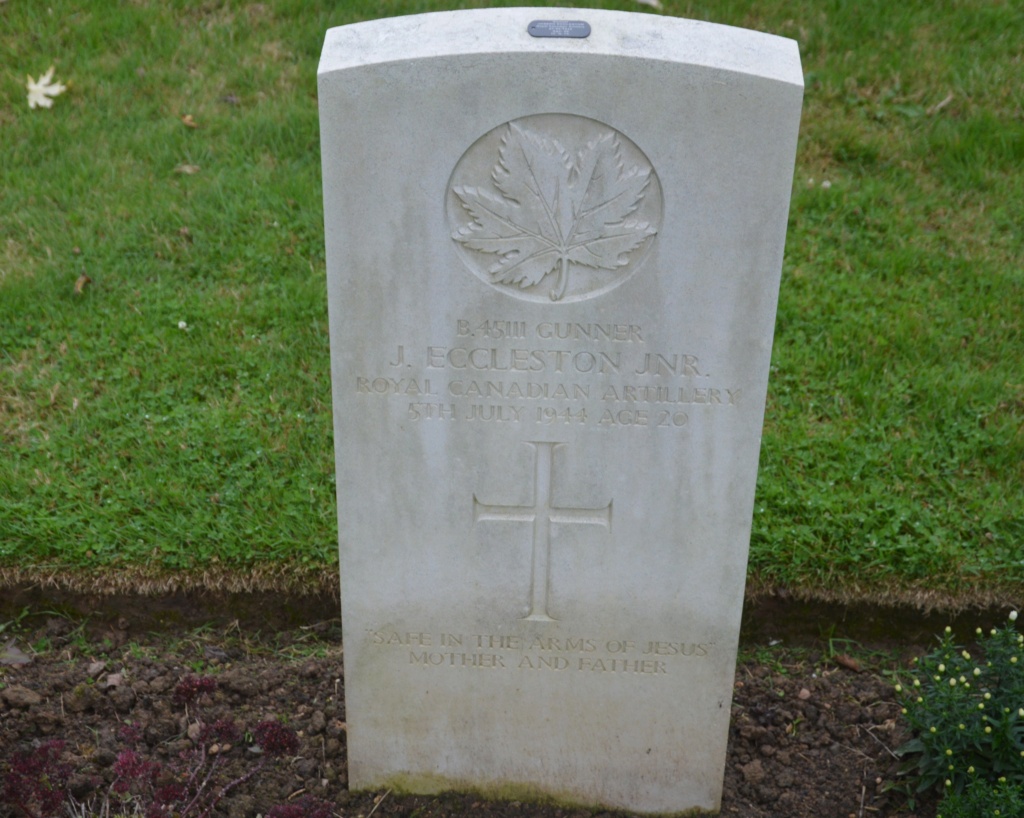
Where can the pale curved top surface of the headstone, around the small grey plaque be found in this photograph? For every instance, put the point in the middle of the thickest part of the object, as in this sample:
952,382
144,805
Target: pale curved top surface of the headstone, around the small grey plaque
626,34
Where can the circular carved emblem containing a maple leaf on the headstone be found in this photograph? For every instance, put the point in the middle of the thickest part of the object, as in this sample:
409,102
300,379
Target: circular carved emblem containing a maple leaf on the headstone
554,207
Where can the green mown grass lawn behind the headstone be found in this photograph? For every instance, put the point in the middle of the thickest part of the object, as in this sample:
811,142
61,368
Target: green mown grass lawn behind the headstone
141,455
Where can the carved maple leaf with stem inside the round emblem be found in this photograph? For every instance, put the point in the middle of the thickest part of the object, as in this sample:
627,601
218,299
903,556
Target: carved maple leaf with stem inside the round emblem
552,211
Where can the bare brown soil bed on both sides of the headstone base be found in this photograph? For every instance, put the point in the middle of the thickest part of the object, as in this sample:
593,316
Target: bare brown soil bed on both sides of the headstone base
813,733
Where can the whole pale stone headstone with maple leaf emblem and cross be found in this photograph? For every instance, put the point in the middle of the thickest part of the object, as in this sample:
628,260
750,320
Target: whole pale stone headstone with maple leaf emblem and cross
554,241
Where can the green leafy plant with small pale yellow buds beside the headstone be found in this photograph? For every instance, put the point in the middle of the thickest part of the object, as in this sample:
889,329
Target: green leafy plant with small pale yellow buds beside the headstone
967,714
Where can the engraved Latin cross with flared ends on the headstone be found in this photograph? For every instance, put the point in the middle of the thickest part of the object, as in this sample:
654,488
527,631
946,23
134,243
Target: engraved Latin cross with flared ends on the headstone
543,514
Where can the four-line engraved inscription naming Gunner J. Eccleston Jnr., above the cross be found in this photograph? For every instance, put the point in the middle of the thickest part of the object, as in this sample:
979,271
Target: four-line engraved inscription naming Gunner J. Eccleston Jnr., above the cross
509,371
